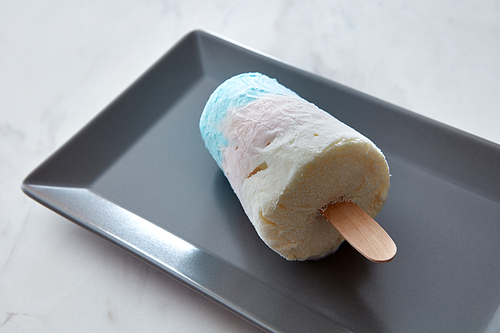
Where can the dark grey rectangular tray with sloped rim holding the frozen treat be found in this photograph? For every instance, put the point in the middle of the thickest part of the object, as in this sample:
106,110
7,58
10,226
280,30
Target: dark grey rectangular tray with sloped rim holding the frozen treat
140,176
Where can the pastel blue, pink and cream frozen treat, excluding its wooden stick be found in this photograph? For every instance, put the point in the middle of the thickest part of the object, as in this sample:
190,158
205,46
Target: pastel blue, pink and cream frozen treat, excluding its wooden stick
287,160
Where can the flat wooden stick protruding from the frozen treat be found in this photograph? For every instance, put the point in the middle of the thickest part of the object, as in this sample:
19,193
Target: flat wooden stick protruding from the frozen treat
361,231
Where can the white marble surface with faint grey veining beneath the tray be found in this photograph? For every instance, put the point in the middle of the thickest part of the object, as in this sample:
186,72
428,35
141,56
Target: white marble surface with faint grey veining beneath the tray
61,62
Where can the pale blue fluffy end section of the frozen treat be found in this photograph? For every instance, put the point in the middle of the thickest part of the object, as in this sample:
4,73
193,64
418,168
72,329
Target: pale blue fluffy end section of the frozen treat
234,93
